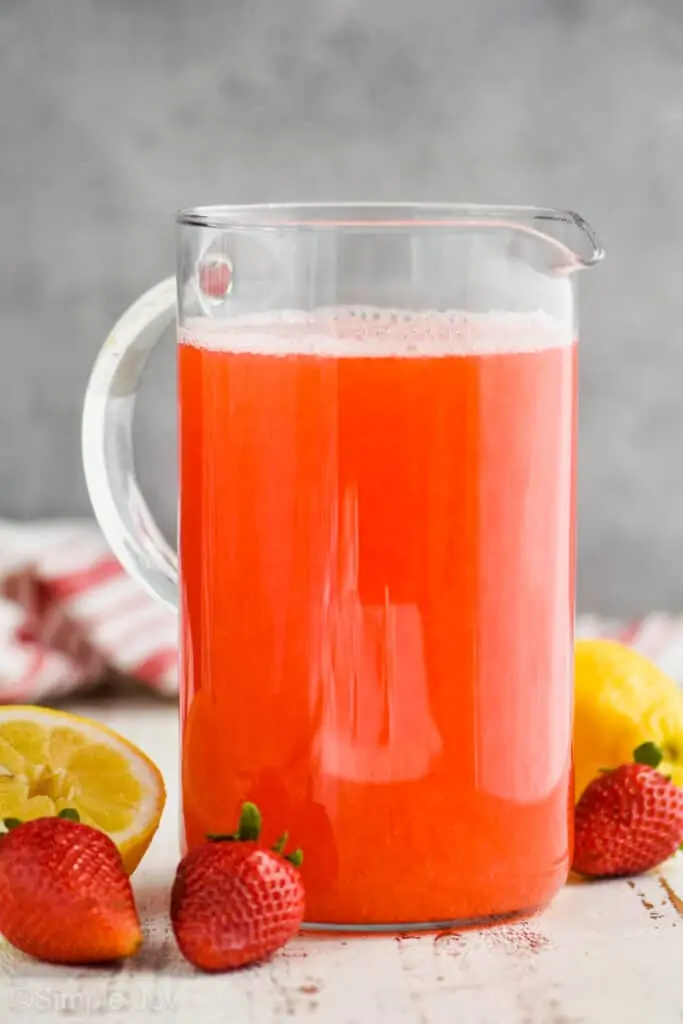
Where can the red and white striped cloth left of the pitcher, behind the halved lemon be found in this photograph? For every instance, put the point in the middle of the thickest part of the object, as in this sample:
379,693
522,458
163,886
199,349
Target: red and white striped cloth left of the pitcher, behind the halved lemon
71,617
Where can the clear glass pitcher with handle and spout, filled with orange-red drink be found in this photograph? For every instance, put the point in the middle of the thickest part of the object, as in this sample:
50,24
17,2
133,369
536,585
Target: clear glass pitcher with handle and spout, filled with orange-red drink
375,576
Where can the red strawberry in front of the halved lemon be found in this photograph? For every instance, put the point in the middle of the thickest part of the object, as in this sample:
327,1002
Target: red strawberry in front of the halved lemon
65,897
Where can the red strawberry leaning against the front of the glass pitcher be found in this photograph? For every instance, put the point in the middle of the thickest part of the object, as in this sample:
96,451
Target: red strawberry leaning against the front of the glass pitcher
235,902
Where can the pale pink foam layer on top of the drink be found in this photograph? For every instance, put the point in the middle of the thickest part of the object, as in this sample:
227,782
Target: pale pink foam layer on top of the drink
374,333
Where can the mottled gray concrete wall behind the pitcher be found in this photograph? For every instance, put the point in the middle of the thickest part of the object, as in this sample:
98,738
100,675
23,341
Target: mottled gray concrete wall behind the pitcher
113,113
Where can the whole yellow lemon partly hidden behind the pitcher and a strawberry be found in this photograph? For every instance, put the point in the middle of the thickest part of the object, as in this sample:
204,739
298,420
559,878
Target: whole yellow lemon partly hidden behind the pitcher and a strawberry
622,700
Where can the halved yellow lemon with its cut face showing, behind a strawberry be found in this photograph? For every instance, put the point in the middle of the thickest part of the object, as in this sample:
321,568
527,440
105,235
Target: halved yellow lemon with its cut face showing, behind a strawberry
51,760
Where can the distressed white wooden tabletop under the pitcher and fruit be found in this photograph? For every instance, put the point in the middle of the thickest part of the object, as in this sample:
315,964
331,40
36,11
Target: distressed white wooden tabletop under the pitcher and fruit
606,954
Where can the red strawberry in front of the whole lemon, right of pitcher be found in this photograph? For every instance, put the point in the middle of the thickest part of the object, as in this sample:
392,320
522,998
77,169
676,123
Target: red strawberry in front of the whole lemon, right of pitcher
628,821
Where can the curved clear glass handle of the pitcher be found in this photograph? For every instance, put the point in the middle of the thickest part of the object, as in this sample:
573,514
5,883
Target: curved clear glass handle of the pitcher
108,444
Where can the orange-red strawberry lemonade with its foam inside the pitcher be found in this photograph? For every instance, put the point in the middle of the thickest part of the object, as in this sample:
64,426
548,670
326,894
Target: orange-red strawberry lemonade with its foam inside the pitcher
377,599
